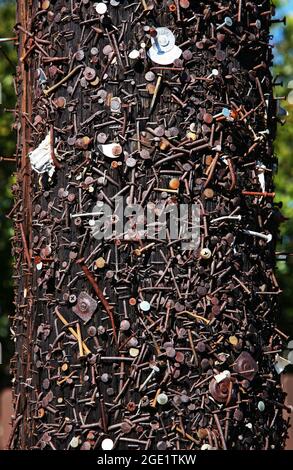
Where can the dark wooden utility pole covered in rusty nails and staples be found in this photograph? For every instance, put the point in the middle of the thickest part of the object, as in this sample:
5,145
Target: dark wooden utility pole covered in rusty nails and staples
137,341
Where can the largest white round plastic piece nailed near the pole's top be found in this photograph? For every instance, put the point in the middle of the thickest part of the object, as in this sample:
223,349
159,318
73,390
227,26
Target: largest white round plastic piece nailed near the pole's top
164,50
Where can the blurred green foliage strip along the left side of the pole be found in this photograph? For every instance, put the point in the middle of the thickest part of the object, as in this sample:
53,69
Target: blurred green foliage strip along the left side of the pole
8,59
